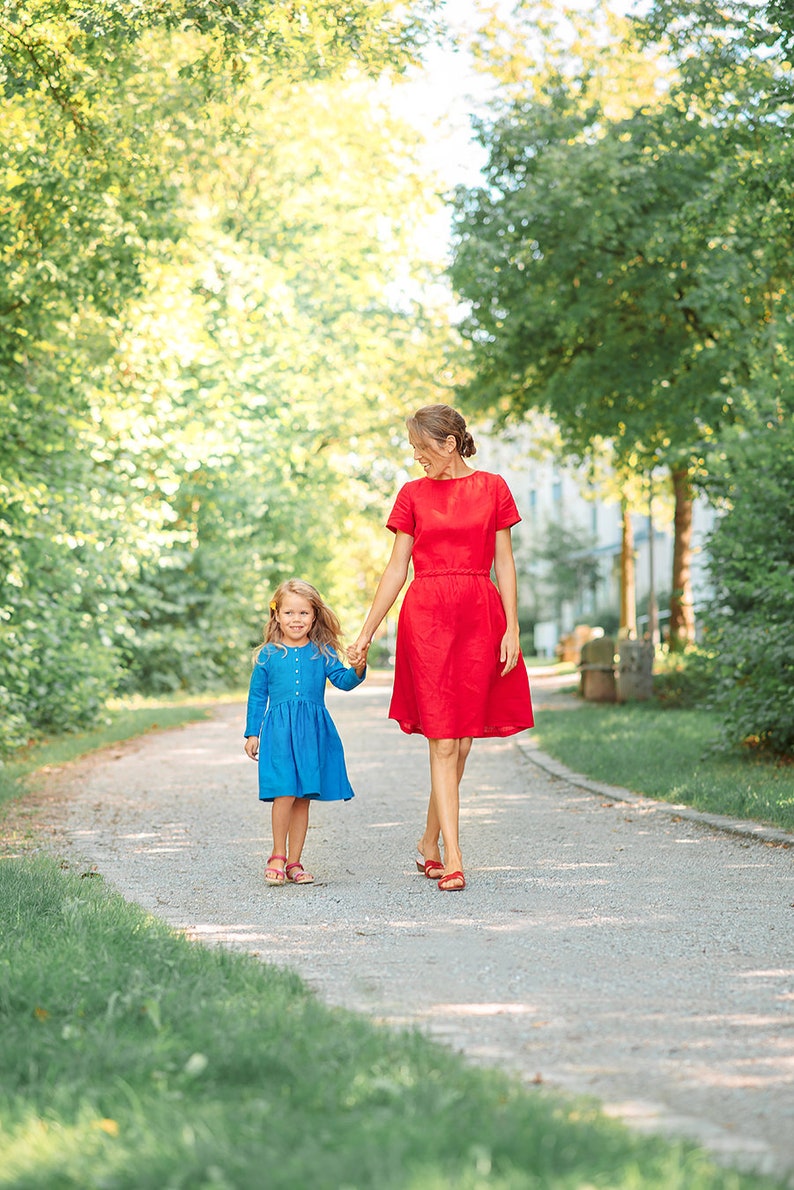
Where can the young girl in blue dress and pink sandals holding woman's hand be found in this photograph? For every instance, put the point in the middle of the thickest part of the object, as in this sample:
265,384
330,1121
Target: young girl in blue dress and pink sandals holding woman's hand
287,725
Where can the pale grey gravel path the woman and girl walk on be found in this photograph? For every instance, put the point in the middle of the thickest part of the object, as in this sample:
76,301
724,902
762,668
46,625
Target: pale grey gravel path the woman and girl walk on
608,948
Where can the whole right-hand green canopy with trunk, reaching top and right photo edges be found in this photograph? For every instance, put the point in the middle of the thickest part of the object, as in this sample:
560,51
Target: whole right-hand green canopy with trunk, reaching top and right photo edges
627,265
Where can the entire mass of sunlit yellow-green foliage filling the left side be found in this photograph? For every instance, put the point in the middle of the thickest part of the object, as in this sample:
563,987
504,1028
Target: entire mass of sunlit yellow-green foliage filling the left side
205,212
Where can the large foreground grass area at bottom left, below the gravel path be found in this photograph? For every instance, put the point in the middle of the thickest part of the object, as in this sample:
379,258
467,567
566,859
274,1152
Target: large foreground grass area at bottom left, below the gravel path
134,1059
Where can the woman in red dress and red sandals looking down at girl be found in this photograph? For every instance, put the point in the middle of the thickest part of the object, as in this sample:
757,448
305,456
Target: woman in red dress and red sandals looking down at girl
459,671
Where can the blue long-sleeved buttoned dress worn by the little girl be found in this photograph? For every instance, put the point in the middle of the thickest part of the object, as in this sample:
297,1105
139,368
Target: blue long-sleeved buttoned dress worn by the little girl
301,751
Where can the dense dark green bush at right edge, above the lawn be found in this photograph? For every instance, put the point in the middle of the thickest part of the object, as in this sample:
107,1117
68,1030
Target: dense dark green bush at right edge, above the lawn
752,565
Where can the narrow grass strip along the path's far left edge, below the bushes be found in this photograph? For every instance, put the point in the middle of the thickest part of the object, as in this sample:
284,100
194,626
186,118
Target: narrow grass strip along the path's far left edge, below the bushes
123,721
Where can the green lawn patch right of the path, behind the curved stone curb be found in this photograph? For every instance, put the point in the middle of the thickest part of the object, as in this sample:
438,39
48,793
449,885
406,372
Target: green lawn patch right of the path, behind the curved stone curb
670,755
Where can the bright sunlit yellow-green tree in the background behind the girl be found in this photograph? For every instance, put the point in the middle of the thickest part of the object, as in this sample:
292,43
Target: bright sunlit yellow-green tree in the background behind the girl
289,356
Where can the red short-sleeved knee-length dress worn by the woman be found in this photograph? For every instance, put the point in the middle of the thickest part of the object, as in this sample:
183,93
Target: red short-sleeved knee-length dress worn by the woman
448,681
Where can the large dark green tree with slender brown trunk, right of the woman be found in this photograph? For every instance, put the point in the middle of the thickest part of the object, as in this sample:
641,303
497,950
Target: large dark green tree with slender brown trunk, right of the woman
611,281
